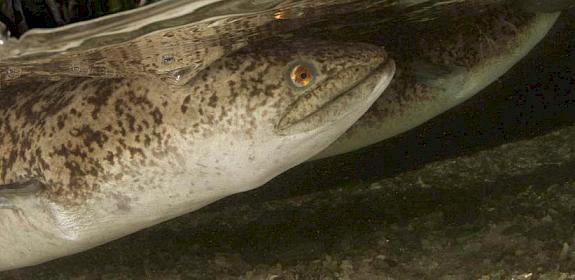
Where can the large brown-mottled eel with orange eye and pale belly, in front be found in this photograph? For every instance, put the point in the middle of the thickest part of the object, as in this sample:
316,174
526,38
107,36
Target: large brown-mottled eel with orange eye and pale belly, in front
113,156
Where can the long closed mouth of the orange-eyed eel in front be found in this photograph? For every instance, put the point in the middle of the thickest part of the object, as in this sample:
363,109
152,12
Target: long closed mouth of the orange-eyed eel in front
312,110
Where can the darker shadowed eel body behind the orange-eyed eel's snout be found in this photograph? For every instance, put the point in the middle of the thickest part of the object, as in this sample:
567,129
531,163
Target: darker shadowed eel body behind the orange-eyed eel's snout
435,75
